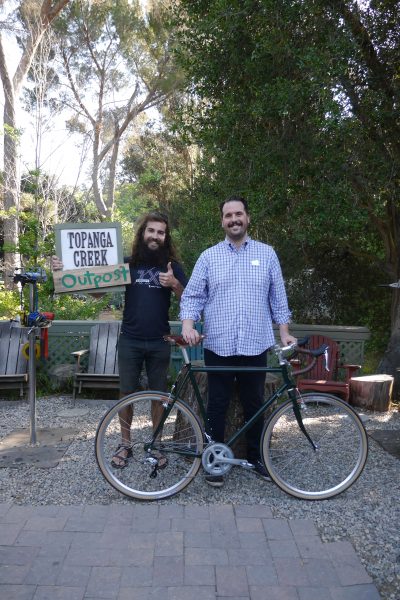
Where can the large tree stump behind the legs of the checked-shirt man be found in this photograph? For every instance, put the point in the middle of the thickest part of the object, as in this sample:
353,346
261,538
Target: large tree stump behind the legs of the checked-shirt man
234,417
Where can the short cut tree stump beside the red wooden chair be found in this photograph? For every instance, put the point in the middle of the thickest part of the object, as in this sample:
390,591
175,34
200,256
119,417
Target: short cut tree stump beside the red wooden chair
373,392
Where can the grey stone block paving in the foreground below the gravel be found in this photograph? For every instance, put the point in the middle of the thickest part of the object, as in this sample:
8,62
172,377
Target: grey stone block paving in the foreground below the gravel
171,552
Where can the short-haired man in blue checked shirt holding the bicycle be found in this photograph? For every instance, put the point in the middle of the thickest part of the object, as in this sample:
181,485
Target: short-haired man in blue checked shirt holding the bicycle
238,288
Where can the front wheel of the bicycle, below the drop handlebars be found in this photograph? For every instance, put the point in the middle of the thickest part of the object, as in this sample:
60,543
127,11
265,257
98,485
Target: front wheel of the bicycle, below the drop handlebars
336,463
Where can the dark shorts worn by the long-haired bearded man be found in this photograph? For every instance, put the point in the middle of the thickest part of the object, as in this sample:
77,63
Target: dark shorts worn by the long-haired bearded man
133,353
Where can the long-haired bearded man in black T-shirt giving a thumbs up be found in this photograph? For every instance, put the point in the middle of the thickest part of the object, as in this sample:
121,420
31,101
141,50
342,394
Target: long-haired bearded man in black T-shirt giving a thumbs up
155,274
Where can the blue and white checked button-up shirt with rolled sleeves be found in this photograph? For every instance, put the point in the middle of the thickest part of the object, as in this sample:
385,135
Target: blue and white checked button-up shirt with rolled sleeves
240,292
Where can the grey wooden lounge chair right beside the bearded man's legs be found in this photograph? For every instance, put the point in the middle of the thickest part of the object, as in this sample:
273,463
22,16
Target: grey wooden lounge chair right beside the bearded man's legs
102,370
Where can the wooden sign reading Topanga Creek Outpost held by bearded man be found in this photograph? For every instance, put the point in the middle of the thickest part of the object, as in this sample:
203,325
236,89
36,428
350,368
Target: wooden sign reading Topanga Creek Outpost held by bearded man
92,258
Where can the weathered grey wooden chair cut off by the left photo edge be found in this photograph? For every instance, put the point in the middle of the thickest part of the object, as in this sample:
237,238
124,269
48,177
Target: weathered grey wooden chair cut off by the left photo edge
13,364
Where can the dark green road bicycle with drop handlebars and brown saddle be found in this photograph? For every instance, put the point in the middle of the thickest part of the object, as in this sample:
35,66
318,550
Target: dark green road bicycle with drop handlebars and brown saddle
314,445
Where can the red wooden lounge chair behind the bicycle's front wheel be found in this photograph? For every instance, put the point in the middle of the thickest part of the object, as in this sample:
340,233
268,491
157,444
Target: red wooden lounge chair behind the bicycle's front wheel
326,377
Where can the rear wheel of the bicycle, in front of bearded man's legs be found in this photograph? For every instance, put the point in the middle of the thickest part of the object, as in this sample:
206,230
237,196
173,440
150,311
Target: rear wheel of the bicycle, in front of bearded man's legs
179,443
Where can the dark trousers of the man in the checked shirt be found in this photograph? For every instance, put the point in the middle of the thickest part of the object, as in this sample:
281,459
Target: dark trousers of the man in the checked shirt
251,394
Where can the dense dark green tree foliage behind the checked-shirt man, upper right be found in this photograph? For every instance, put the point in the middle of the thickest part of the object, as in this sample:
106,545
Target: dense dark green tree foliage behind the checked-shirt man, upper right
291,111
